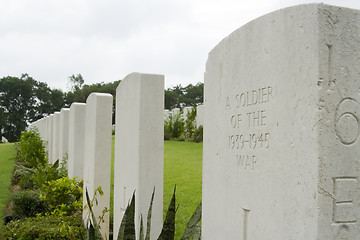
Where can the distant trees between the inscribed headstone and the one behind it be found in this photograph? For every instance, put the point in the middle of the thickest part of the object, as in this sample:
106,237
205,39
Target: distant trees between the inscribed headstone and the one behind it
179,97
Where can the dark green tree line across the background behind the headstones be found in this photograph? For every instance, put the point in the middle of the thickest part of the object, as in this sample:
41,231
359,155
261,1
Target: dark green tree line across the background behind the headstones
24,100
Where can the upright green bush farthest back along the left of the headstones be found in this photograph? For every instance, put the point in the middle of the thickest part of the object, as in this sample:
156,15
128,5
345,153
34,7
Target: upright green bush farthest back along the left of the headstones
31,149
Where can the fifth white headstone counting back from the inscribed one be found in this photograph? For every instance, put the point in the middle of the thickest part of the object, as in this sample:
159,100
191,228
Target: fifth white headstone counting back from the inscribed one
64,133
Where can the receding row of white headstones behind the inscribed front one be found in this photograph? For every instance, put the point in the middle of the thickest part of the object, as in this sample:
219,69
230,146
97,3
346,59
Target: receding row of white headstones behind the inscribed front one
83,133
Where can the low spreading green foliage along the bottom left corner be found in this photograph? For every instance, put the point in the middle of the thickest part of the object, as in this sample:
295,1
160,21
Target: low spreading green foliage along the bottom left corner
44,228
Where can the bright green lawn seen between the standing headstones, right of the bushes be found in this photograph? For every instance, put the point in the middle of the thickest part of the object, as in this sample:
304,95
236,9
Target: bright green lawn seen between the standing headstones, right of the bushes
183,168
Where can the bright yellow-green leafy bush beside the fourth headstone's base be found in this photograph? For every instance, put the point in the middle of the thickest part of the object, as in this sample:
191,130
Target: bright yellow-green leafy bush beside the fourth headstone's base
63,196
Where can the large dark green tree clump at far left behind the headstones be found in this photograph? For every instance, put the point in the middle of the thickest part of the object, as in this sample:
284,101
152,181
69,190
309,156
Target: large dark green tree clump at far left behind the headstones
24,100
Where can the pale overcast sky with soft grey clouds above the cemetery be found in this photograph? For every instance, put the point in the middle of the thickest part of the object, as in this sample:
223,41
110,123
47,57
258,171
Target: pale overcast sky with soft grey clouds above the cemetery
104,40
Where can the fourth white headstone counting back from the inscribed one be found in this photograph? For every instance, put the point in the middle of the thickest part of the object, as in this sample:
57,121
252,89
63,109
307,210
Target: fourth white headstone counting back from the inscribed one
76,140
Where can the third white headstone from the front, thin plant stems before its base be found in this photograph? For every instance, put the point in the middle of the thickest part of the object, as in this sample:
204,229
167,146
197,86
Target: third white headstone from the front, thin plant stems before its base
97,154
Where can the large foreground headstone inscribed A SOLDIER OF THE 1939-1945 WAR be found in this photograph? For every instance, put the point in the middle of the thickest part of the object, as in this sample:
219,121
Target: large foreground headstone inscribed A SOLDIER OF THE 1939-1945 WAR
281,140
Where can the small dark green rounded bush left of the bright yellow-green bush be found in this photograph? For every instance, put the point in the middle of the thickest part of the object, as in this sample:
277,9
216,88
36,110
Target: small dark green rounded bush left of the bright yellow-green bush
27,203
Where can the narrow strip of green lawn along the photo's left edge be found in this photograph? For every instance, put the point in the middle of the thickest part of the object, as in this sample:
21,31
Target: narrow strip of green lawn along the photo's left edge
7,163
